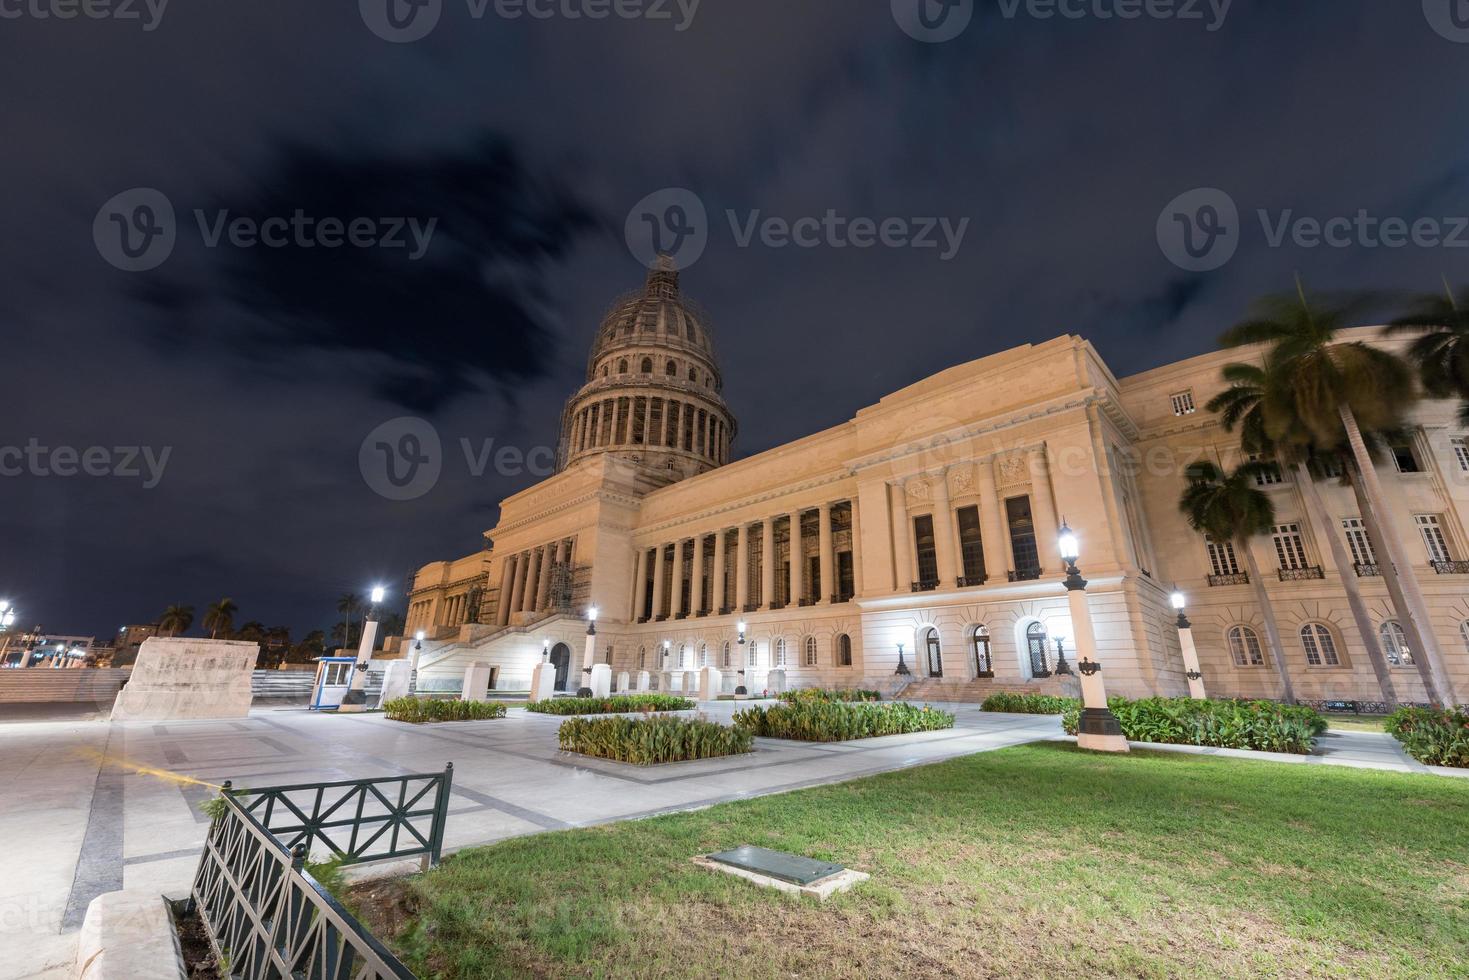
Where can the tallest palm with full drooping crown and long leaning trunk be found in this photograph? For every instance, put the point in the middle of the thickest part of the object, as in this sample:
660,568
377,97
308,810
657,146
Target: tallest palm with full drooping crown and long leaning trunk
1333,390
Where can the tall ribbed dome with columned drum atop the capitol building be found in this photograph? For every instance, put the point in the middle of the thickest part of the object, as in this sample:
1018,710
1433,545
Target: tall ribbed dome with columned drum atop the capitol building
653,386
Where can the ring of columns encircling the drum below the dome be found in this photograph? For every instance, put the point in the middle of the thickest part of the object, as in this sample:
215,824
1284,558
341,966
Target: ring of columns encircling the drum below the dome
628,421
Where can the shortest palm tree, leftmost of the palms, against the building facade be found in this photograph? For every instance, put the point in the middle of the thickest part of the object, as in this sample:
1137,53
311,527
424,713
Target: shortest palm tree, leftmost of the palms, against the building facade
1232,508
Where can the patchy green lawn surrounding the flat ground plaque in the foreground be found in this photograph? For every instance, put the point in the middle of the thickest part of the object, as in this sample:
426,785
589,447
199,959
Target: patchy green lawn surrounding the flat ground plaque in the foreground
1035,862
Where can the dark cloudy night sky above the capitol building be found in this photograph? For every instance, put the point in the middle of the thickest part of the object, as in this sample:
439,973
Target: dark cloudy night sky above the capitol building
527,142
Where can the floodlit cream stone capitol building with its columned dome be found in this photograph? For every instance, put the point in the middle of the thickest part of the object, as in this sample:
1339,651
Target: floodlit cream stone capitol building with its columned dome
925,531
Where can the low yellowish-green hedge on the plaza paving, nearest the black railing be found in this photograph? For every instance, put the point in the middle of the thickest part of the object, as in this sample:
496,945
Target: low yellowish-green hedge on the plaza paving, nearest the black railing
653,740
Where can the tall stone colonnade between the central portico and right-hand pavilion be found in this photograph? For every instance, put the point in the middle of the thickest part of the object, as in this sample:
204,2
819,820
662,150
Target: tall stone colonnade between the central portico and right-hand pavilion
684,602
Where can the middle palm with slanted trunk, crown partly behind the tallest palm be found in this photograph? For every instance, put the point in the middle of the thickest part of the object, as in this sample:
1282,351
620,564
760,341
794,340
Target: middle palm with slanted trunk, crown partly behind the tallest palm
1241,406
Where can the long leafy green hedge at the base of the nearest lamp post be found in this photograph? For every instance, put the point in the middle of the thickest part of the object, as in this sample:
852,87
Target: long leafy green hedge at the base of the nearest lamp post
1235,725
